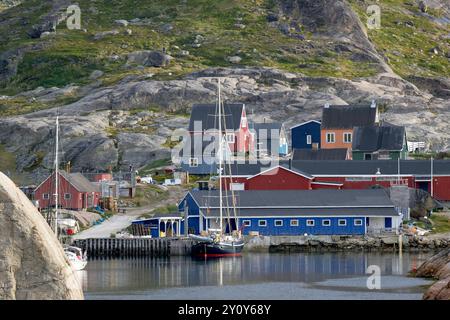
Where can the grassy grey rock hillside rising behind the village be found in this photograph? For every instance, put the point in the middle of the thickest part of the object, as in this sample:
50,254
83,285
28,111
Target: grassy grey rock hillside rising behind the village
127,79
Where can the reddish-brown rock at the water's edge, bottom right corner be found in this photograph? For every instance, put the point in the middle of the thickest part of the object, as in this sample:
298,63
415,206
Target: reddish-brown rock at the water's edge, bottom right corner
437,267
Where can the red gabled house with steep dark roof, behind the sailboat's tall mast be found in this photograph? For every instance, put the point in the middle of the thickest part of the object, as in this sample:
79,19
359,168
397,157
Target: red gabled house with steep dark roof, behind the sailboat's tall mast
234,125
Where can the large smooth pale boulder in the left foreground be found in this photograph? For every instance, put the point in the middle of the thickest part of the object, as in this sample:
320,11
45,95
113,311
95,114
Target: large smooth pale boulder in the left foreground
32,262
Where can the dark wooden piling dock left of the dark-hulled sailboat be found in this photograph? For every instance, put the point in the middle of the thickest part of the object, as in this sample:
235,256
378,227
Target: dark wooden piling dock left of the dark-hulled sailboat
134,247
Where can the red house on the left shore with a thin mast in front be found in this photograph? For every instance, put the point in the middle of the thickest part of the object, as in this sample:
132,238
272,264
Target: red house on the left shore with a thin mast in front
76,192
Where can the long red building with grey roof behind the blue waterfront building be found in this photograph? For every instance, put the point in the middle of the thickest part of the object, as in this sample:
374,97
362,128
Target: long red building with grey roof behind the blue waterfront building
306,175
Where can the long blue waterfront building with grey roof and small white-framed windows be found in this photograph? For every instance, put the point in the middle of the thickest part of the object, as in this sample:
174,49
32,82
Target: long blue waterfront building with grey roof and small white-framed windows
294,212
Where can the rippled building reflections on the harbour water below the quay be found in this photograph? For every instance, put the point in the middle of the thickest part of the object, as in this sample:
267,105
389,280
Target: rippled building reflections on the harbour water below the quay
133,275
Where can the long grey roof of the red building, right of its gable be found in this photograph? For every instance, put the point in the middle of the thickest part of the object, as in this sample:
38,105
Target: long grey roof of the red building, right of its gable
362,167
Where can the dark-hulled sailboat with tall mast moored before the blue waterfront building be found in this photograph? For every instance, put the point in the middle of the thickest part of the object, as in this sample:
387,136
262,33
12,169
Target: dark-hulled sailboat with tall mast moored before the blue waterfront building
217,243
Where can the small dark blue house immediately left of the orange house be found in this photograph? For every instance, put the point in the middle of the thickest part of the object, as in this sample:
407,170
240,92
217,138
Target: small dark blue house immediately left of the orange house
305,134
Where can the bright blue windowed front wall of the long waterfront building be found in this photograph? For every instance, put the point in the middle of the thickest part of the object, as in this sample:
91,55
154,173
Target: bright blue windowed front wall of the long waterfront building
302,228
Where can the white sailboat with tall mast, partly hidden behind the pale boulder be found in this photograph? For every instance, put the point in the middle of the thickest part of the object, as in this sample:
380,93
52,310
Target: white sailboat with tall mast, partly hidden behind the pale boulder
76,257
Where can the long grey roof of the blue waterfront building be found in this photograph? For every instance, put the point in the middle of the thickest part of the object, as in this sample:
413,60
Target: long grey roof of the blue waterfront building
290,199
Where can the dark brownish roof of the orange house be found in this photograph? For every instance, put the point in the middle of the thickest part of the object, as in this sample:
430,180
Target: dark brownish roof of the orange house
346,117
